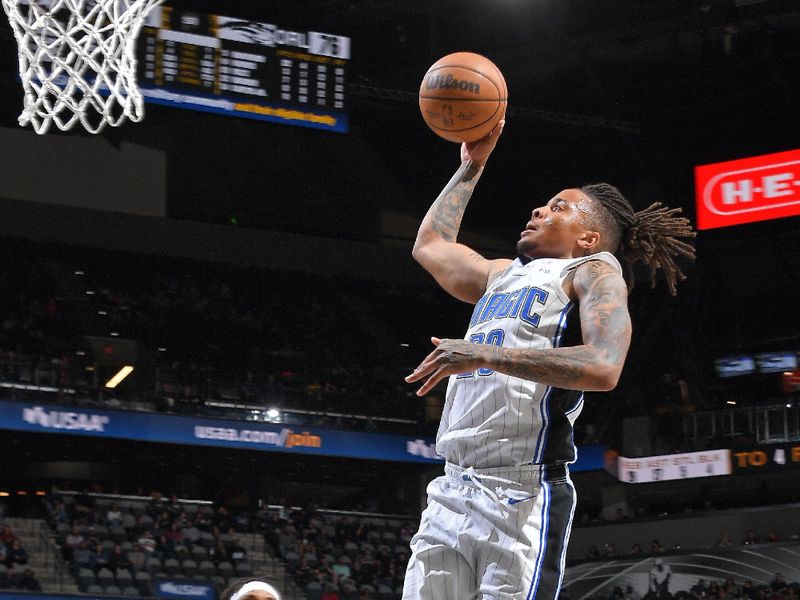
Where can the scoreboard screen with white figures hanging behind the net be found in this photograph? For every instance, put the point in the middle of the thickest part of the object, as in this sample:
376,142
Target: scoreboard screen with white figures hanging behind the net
244,68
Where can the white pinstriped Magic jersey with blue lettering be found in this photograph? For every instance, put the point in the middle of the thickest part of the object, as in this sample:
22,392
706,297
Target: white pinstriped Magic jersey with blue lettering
496,420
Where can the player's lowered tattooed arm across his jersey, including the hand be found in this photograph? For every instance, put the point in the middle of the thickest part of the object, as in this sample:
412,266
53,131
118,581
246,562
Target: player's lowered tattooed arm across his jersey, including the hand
595,365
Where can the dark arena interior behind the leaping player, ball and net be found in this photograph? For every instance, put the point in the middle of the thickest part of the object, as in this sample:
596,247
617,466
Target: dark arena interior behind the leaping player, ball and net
250,258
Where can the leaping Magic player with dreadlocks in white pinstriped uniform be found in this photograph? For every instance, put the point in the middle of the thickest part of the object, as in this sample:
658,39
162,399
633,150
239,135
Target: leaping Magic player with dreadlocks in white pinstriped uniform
546,327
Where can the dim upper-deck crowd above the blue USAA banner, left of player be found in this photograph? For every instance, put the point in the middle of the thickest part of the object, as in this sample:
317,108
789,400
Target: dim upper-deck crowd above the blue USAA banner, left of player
208,331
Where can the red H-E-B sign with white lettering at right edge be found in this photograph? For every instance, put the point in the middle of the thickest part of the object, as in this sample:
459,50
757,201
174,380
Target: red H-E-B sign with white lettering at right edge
747,190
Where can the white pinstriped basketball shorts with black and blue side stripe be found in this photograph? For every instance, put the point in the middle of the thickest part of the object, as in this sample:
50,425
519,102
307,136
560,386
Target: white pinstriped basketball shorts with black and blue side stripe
492,534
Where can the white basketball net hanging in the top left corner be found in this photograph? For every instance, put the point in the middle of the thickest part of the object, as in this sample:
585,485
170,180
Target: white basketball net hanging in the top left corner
77,61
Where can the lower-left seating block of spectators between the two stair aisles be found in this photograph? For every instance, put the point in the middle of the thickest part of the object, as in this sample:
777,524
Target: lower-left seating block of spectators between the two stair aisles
121,547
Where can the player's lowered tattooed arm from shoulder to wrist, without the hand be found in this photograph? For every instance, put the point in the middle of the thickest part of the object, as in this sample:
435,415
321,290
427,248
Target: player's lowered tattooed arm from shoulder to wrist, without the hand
606,327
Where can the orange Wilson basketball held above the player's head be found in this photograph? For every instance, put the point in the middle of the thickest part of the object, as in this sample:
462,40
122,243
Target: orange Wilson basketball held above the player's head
463,96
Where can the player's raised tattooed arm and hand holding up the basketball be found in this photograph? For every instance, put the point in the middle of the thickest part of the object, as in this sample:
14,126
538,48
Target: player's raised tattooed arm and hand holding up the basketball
461,271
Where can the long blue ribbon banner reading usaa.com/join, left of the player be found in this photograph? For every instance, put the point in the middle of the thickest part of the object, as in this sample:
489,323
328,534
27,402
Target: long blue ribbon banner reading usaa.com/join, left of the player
146,427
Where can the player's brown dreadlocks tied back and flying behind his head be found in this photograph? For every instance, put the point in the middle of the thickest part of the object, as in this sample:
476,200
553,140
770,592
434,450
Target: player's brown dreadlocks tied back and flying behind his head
650,235
